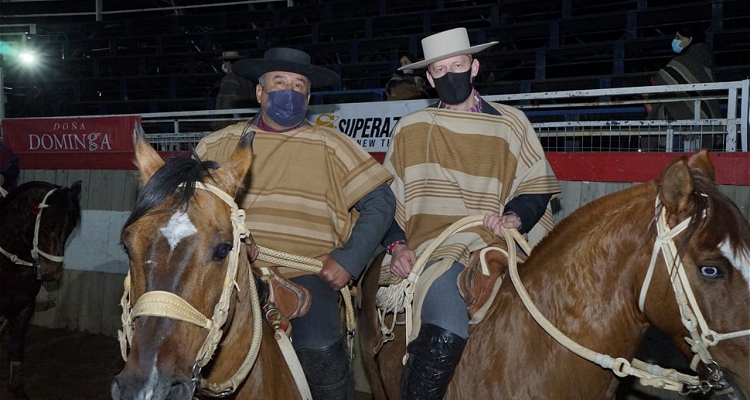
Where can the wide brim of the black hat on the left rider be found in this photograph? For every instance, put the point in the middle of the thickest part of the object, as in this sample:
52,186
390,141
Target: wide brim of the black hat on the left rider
318,76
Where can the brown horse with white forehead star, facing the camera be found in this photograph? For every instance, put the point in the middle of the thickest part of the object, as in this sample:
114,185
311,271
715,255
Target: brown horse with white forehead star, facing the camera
182,242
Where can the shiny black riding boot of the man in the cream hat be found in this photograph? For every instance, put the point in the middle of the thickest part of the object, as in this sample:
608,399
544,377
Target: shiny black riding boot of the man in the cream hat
433,357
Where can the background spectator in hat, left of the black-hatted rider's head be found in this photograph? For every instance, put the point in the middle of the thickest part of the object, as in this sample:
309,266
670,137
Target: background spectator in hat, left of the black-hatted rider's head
234,91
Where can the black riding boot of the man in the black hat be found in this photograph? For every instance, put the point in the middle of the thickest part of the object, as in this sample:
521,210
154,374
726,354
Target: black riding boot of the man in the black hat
328,371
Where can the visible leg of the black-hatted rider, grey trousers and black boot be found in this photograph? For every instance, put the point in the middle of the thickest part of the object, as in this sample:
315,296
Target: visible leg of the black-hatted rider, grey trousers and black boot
320,345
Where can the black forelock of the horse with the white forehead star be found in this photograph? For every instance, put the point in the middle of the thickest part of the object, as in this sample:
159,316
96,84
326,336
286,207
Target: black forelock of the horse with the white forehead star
177,170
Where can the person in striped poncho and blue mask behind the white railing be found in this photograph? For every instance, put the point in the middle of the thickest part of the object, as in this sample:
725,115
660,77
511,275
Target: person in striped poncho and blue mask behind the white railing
692,63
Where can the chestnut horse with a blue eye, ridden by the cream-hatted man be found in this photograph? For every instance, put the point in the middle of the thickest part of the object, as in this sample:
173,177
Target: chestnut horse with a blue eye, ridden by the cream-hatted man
586,277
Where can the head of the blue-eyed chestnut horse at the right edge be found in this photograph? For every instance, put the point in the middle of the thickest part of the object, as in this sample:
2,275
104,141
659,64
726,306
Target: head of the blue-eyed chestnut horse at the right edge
700,295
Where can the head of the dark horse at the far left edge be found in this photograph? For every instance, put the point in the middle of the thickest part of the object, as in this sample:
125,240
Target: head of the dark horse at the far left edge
40,217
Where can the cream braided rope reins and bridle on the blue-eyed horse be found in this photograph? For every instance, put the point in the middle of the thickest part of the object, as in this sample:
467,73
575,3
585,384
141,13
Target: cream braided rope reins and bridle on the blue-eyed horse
398,298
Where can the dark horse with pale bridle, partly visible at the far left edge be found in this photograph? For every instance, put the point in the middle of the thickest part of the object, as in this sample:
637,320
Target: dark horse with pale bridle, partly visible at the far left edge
36,220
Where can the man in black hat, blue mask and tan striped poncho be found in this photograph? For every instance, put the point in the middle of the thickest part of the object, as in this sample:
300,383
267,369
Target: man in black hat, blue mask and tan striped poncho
311,191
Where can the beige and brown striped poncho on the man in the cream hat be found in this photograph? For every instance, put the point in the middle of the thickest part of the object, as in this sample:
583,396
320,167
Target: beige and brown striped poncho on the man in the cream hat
450,164
